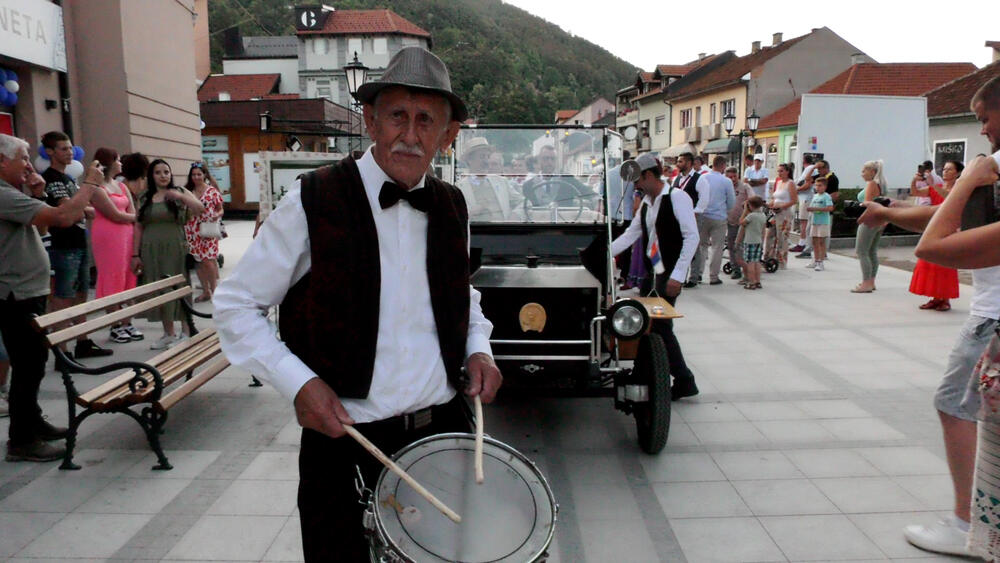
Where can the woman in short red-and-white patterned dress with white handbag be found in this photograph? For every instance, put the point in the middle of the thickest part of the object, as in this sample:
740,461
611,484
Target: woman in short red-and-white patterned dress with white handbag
205,250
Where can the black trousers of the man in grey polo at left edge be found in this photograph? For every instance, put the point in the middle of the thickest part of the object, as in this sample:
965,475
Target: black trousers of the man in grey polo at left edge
28,354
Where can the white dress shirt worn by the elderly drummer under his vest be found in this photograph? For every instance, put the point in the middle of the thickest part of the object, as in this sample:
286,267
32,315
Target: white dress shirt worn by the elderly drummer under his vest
409,371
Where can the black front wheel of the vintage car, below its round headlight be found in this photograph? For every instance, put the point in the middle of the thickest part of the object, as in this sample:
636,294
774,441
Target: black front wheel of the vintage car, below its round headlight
652,418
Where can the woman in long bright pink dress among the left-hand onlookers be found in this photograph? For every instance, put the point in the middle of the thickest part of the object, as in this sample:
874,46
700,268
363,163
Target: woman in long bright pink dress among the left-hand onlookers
111,237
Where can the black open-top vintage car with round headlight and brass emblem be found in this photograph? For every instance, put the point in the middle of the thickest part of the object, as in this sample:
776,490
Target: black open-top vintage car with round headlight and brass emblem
541,211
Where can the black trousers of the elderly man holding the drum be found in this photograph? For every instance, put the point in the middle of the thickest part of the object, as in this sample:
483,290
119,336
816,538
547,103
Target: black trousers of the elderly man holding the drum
329,507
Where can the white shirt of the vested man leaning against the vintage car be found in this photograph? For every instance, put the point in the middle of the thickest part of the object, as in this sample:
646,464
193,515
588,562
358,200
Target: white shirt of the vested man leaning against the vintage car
683,211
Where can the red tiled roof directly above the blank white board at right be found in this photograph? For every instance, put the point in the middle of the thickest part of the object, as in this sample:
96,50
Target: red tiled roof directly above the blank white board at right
875,79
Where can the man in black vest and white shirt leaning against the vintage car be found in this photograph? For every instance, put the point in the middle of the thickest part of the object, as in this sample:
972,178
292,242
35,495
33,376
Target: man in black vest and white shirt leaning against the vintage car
665,218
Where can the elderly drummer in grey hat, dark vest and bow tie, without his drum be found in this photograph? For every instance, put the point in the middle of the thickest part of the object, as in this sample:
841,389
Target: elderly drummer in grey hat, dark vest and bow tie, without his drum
377,315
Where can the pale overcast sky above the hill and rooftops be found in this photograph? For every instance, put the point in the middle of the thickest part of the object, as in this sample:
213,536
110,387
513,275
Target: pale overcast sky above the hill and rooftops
650,32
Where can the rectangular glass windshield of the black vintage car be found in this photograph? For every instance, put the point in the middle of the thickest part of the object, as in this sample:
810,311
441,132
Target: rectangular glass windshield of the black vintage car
532,175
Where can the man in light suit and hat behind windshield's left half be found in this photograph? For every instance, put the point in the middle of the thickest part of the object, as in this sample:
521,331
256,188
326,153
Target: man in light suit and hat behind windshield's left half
489,197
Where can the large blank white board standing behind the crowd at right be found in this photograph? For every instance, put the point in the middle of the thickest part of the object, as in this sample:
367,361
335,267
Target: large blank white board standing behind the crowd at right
851,130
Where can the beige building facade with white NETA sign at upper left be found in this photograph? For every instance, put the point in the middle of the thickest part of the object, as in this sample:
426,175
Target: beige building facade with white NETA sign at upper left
83,69
